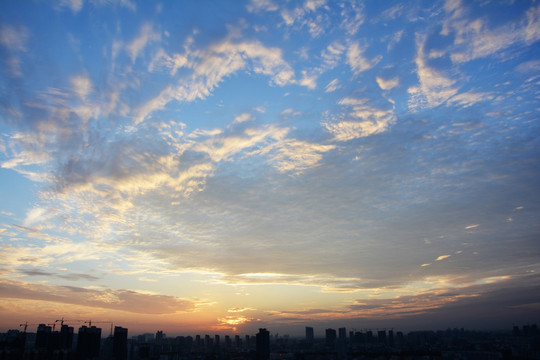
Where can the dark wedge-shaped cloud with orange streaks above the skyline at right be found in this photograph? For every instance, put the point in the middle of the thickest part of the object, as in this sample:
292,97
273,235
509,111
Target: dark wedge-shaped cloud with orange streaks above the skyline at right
466,306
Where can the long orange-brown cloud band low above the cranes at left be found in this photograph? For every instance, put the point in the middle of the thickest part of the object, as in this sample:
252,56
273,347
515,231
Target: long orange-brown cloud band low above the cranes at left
120,300
